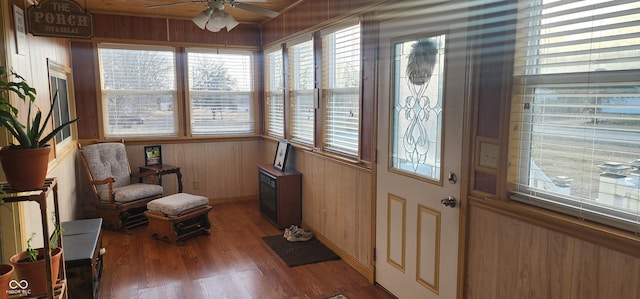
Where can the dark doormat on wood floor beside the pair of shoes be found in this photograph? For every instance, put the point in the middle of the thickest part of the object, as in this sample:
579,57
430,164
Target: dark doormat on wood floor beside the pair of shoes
300,253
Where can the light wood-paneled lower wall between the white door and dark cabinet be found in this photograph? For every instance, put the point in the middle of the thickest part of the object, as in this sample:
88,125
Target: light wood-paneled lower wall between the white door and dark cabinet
337,204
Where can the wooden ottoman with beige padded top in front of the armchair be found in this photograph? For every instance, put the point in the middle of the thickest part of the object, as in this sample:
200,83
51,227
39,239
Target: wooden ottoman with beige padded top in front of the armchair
178,217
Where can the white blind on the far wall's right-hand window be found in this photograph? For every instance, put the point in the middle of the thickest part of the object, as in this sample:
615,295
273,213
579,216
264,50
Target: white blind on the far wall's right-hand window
221,93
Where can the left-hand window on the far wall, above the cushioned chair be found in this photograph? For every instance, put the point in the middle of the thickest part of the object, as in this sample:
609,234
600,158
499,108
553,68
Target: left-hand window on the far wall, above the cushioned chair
138,90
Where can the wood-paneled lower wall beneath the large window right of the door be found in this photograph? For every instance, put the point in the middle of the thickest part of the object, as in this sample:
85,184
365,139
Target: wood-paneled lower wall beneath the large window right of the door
510,258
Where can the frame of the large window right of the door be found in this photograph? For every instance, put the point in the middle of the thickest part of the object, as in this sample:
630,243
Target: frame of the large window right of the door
575,206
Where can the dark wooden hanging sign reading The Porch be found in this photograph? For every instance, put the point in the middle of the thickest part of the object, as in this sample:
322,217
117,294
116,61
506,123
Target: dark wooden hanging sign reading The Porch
60,18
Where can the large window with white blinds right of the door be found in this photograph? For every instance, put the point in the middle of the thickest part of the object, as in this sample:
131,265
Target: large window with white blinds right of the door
576,109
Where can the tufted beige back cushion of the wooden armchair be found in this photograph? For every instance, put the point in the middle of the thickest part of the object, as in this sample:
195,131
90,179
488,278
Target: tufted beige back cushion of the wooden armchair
108,160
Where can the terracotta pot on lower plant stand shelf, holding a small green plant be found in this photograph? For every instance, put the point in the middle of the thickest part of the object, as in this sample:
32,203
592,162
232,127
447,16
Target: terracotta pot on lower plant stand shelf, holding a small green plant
35,272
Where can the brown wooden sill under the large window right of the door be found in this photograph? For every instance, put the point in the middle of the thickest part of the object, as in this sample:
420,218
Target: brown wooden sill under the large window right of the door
601,235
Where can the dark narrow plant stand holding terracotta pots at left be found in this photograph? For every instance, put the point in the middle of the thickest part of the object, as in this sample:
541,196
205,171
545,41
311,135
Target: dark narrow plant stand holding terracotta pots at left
58,285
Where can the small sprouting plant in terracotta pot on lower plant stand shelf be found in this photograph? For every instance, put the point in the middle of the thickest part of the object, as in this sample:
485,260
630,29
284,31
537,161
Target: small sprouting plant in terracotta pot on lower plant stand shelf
30,264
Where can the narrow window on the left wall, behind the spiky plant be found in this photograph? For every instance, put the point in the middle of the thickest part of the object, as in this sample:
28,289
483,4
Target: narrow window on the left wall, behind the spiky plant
59,88
